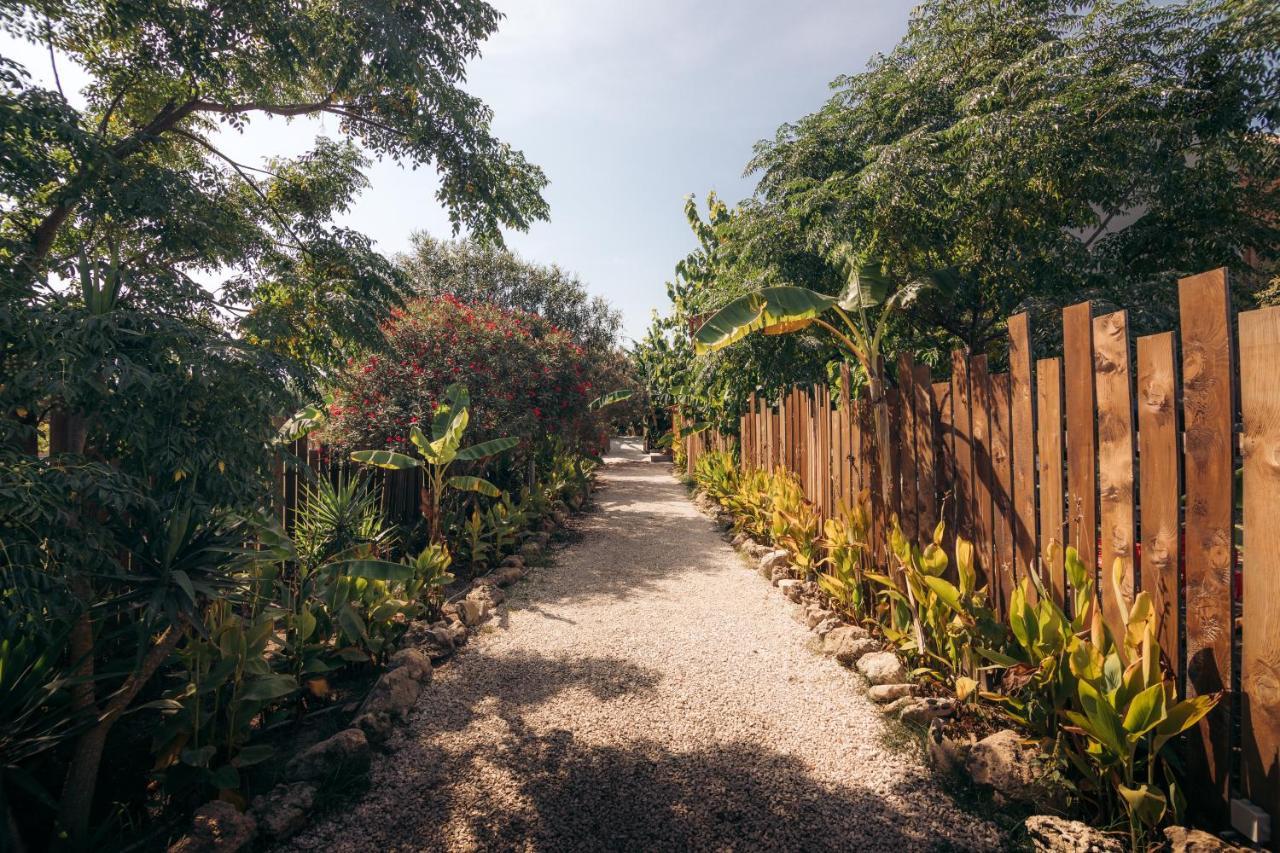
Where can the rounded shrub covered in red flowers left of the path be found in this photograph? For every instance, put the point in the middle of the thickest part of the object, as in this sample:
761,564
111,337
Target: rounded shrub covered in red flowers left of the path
527,378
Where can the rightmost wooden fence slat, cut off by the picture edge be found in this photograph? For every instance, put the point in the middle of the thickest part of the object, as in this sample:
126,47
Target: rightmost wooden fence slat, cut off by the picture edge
1260,658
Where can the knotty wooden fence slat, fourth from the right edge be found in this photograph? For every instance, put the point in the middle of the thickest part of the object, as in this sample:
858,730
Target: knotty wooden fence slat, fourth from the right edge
1114,391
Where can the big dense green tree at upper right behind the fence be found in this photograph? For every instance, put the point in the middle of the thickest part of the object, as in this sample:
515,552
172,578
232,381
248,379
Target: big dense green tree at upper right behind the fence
1048,152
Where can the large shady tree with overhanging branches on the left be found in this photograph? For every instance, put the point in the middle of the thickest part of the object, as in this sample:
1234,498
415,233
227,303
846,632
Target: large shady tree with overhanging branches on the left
161,302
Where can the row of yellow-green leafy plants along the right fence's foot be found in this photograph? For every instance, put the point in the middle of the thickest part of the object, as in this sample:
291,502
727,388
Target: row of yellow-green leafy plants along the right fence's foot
1103,706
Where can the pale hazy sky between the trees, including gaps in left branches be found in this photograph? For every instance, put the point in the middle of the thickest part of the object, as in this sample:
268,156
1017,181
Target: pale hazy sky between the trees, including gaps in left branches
628,108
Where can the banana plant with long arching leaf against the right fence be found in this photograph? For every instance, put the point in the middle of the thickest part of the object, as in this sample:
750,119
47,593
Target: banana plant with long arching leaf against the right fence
784,309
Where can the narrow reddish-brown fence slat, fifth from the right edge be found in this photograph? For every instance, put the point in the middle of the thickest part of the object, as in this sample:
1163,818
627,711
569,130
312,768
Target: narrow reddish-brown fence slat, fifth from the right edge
1082,455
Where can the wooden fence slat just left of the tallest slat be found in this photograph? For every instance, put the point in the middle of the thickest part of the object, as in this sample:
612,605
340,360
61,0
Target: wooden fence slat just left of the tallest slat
1160,486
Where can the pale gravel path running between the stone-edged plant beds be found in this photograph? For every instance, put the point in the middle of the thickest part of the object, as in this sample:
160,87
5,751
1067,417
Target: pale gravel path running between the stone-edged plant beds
648,692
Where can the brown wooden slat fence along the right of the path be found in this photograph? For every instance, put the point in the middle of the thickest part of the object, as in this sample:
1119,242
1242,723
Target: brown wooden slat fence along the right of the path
1126,449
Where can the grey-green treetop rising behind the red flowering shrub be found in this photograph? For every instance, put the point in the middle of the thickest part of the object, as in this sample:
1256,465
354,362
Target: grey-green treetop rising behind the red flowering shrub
476,273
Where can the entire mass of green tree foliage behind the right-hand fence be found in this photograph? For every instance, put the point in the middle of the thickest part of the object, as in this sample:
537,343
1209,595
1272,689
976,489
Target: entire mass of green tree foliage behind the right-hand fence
1023,156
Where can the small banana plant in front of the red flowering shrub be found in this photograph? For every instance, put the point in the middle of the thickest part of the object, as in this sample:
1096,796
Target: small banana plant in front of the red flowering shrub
438,454
